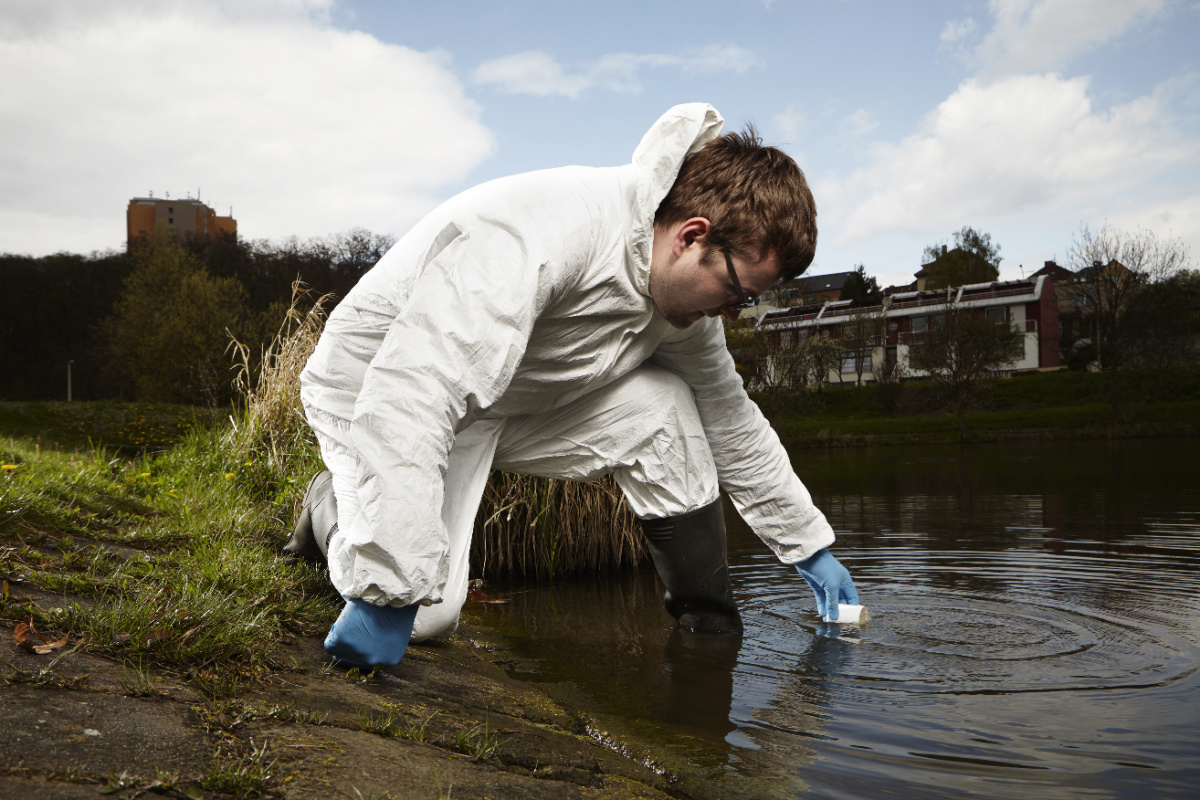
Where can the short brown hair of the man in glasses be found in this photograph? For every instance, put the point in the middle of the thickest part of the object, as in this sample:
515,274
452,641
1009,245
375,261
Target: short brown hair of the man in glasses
754,196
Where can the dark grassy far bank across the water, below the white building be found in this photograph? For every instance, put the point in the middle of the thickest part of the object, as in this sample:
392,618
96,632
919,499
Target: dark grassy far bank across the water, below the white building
1047,406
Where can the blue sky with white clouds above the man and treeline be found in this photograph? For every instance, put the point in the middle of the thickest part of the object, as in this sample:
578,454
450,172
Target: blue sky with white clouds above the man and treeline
1024,119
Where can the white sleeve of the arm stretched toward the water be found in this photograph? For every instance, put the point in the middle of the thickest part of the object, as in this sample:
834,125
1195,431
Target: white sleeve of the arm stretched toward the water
752,465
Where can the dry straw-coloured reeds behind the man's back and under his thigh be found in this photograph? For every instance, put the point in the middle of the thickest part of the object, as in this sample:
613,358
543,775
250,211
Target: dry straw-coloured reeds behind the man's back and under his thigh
526,527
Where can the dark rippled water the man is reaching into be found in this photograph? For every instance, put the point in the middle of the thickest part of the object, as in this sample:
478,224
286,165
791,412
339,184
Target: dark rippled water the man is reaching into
1035,633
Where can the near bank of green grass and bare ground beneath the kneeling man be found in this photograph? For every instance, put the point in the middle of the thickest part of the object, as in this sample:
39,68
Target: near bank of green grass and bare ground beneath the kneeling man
160,645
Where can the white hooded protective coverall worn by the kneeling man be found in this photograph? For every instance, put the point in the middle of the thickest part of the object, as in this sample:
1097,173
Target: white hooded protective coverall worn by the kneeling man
513,328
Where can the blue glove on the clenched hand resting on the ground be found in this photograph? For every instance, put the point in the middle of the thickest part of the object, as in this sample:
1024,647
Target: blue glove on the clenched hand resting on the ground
365,635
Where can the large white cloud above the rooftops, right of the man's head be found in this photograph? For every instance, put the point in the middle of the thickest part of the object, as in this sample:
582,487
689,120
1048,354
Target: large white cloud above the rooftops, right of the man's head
1024,146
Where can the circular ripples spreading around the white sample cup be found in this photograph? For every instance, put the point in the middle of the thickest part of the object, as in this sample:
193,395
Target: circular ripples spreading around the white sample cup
949,642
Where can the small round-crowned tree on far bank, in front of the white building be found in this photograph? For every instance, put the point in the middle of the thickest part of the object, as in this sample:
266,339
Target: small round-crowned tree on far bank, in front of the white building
961,348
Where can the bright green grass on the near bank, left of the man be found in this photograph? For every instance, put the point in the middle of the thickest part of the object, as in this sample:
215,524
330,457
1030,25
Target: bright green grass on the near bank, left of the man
171,557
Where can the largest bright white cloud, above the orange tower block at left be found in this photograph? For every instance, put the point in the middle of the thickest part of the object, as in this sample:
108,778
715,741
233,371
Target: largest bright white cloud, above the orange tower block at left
301,128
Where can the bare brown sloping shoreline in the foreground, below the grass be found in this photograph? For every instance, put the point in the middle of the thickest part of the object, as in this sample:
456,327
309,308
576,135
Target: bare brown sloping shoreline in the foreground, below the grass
447,723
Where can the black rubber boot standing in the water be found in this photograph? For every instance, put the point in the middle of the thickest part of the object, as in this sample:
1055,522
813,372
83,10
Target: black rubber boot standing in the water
691,555
